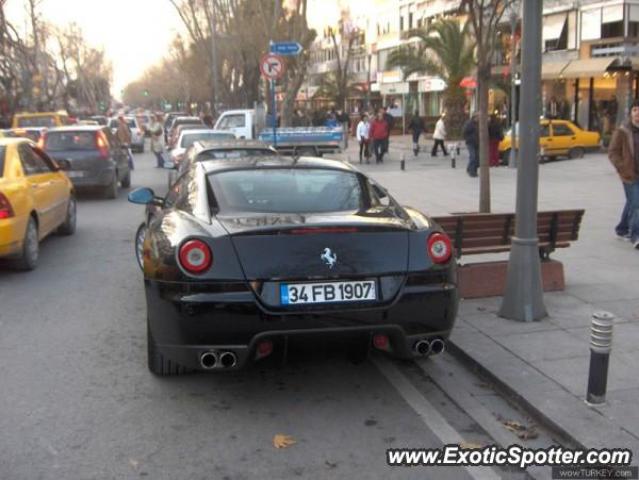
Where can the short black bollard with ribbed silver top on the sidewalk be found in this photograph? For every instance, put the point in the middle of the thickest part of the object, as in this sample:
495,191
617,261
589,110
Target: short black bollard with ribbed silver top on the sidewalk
600,347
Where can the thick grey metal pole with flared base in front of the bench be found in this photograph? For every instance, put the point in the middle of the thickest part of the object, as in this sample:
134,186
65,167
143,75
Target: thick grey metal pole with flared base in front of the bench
523,299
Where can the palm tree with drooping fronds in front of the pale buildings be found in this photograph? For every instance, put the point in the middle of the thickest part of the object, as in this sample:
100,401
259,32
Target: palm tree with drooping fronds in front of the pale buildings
444,50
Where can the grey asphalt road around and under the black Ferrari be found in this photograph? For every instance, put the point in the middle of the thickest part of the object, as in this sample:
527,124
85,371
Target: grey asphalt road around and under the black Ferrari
77,400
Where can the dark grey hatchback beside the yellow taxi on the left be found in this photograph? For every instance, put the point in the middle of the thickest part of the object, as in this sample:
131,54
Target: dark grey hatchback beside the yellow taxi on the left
93,156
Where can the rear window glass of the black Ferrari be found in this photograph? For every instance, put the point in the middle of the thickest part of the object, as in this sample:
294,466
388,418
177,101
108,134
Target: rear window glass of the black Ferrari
286,190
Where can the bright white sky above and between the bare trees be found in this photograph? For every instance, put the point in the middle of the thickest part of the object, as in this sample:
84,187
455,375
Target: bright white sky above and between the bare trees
136,34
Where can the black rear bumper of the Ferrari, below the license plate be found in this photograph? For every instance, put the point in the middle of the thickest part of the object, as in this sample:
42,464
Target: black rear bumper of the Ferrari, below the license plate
185,323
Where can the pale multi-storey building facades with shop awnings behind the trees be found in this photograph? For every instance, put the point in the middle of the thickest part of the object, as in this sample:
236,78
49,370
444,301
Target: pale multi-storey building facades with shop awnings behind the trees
590,63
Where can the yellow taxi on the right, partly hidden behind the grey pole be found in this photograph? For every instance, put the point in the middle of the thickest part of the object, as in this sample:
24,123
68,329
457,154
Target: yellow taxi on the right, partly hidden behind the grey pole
558,138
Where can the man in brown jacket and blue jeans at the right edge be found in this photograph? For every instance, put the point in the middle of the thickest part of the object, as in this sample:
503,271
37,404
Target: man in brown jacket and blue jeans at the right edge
624,155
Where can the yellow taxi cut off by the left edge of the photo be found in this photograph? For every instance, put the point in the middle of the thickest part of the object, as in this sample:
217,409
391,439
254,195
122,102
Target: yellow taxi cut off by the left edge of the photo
36,199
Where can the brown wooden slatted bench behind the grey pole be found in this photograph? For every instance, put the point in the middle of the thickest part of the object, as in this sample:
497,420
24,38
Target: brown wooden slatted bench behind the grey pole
483,233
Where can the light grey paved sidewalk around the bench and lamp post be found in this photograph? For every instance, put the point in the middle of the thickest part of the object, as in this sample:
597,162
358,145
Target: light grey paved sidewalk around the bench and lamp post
545,363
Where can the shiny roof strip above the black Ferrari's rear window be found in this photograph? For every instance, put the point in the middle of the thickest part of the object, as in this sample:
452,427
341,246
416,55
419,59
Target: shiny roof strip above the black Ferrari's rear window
248,163
